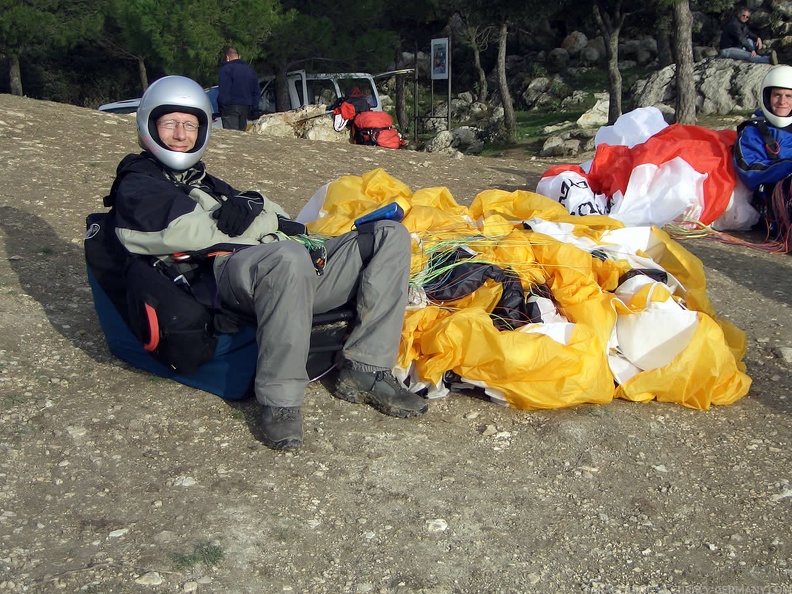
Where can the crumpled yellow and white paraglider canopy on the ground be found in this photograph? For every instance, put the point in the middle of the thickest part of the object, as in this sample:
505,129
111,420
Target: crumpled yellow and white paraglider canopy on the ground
630,316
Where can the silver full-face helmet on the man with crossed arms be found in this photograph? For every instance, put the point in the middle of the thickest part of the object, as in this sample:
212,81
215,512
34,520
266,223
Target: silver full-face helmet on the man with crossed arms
167,95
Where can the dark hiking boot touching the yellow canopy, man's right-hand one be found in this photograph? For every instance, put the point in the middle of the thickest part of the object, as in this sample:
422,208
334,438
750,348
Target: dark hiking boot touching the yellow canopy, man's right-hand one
380,390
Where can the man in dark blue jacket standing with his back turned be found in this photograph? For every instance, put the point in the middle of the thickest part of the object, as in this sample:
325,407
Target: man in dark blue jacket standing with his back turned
238,91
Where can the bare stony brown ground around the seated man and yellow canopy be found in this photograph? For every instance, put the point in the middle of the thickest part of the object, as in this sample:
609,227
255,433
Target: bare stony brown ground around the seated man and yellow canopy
112,480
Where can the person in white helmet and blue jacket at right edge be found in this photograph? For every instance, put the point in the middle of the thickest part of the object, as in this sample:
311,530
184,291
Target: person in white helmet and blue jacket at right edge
763,151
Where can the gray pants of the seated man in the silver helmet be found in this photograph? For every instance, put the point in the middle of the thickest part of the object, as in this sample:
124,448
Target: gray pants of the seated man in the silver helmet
276,283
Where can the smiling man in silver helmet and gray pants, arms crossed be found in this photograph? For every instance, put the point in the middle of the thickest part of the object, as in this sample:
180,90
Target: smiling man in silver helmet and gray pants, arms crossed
164,203
